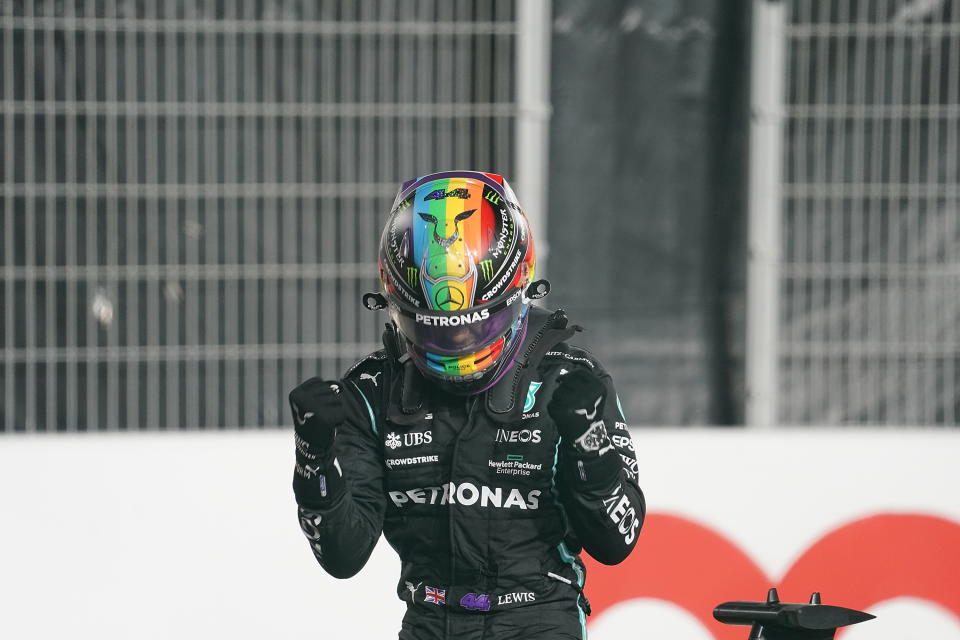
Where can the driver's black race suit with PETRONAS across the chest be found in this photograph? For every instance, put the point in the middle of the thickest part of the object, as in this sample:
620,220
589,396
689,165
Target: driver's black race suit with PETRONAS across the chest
486,507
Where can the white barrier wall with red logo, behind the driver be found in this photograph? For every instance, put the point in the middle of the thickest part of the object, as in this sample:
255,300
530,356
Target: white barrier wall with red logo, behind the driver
195,535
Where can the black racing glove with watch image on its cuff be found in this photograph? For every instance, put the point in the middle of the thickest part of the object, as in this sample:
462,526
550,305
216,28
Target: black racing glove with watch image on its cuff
577,409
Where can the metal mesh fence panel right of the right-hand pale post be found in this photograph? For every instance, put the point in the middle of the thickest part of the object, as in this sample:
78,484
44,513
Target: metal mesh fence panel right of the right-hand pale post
870,271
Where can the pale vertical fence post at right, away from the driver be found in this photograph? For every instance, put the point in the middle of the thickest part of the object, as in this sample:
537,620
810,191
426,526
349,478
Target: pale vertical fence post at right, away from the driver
766,137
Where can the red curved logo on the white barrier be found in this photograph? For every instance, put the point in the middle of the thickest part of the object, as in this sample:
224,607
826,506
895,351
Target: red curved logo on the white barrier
857,565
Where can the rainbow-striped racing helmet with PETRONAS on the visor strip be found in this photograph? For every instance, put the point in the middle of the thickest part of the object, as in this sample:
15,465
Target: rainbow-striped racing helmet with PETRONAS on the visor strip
456,258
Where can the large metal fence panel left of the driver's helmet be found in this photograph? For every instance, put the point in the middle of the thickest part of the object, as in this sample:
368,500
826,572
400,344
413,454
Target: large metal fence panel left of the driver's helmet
192,192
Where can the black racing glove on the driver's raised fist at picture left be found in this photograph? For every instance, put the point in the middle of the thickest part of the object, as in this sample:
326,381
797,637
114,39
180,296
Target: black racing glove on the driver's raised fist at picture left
317,410
